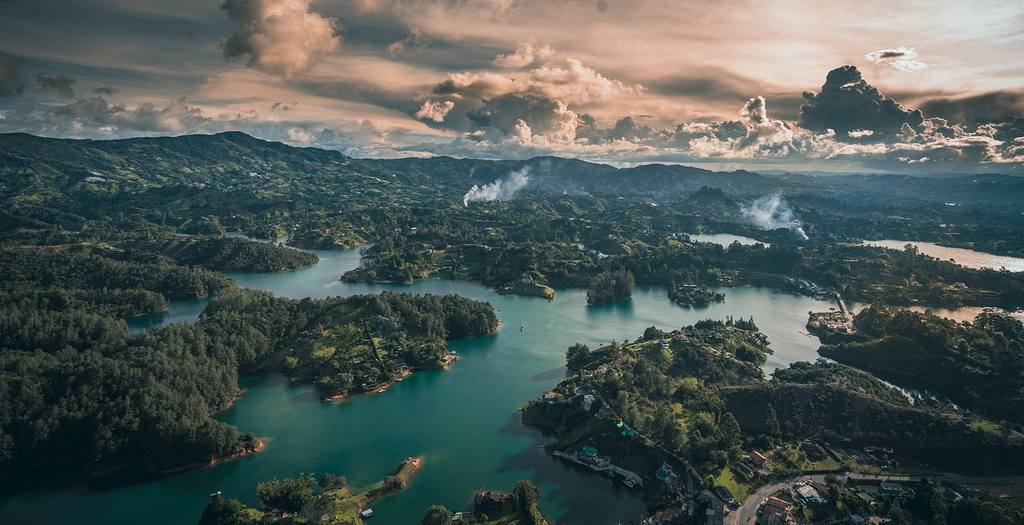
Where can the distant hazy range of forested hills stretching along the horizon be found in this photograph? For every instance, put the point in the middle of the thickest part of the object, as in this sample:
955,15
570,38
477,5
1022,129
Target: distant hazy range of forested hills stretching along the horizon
238,163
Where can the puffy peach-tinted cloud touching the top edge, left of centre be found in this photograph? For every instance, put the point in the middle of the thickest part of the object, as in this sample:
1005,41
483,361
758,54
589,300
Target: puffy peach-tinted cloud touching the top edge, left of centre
282,37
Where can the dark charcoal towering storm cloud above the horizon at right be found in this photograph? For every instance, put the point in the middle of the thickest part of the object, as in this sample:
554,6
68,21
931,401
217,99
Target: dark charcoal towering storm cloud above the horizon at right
847,104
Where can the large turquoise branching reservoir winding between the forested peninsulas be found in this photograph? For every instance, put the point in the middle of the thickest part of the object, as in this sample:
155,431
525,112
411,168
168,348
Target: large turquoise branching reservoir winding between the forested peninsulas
463,422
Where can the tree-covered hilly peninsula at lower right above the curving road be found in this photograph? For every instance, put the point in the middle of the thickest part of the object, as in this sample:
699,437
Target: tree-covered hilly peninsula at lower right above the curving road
700,398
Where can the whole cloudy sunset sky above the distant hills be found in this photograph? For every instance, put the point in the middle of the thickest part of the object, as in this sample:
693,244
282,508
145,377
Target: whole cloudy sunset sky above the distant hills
856,86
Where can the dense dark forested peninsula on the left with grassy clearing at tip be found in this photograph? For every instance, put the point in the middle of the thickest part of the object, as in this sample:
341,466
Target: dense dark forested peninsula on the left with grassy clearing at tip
79,390
